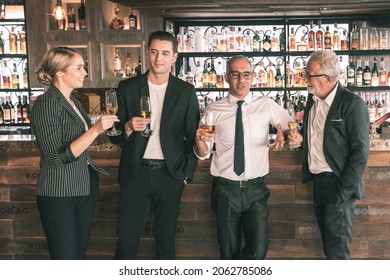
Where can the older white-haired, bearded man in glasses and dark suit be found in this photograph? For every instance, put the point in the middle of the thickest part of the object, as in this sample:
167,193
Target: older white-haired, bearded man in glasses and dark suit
335,151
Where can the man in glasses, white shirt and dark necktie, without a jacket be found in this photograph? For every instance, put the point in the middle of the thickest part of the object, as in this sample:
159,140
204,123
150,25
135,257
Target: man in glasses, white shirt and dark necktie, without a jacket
240,162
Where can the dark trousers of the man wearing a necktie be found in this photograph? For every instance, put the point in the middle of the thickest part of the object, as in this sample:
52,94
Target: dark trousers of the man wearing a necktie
241,209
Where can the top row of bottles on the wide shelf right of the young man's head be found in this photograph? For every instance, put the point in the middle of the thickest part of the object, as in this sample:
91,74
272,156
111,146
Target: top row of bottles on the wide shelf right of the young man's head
248,38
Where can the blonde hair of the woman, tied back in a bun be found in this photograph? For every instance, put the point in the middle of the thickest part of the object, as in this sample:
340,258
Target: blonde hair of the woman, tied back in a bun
54,60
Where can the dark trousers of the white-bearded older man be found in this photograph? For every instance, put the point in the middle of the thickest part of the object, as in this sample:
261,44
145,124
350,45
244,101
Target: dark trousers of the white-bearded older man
334,217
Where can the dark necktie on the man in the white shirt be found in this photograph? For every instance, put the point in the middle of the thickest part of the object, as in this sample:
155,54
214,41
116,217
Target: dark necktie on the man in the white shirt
239,157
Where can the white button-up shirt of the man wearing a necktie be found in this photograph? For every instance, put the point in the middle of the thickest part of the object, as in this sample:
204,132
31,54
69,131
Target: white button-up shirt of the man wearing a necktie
257,114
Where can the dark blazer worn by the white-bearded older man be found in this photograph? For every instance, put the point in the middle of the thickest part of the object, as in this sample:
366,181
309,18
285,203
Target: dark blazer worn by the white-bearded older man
346,142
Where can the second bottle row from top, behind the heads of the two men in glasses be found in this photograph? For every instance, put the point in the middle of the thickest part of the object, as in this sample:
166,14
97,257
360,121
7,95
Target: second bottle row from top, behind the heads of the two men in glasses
270,73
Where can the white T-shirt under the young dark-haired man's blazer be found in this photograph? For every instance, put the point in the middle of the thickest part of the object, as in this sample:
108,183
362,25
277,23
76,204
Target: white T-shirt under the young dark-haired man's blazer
157,95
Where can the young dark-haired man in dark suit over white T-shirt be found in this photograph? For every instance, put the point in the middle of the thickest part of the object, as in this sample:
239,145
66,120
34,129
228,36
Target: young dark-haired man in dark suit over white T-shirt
153,170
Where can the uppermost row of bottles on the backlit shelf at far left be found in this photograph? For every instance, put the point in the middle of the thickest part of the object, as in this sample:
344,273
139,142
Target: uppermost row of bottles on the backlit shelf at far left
12,39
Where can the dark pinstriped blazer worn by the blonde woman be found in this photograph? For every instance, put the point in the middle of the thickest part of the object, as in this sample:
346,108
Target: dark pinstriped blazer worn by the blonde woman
56,125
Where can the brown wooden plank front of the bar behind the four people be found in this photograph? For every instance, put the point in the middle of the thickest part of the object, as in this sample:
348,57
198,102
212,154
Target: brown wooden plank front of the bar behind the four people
293,230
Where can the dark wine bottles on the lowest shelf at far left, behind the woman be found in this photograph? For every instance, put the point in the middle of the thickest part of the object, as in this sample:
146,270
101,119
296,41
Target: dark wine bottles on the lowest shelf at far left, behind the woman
14,113
